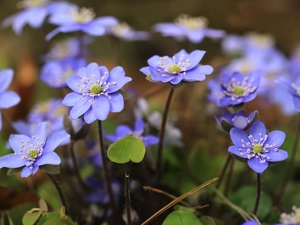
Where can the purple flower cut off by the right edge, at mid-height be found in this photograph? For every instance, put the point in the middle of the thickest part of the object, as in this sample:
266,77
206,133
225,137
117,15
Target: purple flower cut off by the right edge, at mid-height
294,89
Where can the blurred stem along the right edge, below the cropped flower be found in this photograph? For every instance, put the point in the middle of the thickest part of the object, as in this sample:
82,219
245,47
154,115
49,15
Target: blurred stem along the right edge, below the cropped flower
291,163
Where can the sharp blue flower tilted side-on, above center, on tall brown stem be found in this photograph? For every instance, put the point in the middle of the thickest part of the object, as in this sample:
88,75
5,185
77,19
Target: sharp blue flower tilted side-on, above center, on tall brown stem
182,67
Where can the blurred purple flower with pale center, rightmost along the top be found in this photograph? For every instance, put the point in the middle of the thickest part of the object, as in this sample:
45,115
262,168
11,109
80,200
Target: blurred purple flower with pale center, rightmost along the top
192,28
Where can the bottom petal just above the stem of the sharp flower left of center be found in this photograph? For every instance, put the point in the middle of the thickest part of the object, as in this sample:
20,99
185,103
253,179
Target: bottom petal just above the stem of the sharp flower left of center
101,107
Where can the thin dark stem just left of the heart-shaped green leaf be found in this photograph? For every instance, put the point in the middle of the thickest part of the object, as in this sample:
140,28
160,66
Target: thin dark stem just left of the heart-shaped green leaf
107,175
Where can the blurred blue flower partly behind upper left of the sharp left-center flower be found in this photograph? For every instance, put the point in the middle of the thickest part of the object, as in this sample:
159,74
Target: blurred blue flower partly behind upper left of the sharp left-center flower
55,72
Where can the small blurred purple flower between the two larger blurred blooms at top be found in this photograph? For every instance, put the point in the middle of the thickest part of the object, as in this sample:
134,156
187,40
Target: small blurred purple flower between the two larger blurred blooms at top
125,32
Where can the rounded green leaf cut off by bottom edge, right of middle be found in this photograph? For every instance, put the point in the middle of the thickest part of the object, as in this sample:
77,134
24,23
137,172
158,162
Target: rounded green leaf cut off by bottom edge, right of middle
182,217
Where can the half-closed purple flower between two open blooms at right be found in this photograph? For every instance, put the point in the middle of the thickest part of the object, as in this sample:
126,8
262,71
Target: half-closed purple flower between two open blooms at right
239,120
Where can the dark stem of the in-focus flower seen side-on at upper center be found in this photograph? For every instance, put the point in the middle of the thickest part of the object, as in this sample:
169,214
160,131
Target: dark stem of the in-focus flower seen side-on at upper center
162,135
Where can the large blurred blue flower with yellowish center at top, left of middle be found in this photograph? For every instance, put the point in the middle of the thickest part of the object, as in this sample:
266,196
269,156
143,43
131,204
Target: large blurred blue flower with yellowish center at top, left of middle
80,20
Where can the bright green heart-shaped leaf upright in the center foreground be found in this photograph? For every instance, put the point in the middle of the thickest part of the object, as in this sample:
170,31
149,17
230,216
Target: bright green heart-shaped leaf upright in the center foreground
126,149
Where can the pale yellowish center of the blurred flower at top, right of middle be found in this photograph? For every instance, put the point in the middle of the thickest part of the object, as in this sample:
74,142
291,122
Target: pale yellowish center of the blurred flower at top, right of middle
192,23
